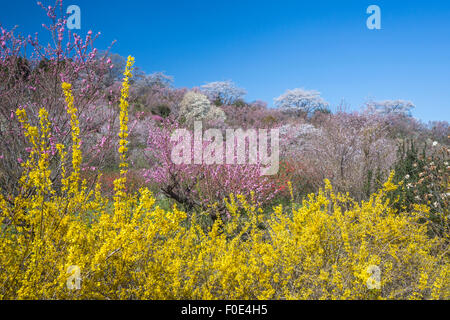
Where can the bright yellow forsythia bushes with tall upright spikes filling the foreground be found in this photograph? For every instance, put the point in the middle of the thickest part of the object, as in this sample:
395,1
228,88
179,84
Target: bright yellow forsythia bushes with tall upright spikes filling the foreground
76,244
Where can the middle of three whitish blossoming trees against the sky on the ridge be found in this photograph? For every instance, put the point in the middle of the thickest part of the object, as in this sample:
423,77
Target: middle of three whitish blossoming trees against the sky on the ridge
301,100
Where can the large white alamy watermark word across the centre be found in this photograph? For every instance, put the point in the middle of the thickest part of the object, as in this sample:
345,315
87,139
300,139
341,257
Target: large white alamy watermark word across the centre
233,151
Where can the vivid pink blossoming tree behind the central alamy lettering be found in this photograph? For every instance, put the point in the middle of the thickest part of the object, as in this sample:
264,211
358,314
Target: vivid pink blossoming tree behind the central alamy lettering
201,186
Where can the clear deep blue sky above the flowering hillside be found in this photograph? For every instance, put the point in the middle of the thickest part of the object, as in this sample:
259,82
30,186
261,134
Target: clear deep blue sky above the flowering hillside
267,47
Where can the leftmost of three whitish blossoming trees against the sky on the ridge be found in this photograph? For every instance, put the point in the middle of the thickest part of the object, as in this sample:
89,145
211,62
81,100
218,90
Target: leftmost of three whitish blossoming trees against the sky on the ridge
223,92
